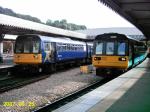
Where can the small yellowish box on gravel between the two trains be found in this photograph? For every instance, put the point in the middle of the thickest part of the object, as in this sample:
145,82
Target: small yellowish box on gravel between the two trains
85,69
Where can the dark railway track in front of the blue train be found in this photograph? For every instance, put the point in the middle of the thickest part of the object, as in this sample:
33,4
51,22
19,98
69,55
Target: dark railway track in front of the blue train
8,82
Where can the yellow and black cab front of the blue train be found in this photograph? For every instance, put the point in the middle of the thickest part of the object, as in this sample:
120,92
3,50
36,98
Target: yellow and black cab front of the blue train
28,50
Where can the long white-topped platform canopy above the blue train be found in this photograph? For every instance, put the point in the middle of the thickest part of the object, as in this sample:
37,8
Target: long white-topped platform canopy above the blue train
17,26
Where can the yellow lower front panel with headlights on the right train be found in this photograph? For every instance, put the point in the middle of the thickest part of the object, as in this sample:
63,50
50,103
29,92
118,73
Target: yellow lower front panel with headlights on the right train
119,62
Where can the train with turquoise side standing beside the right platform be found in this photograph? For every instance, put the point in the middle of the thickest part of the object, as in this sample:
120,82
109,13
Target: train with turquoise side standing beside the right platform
113,52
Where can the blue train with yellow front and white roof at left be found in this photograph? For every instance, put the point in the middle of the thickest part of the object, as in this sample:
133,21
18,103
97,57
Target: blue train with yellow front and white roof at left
35,52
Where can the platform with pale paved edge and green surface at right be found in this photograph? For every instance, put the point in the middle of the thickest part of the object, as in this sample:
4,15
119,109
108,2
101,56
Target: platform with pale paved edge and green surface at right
129,92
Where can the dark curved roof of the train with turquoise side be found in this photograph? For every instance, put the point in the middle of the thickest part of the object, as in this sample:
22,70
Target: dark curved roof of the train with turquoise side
112,35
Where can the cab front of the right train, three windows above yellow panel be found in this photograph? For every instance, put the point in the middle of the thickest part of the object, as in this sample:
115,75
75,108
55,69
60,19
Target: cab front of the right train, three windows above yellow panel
110,52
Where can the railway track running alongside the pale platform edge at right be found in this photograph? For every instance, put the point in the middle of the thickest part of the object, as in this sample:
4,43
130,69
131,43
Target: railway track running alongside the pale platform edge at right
72,96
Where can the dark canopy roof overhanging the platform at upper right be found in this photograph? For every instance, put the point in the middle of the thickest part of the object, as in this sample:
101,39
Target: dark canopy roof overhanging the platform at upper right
135,11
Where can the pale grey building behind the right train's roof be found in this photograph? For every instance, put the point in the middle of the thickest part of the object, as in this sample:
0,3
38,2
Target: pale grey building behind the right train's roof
130,31
